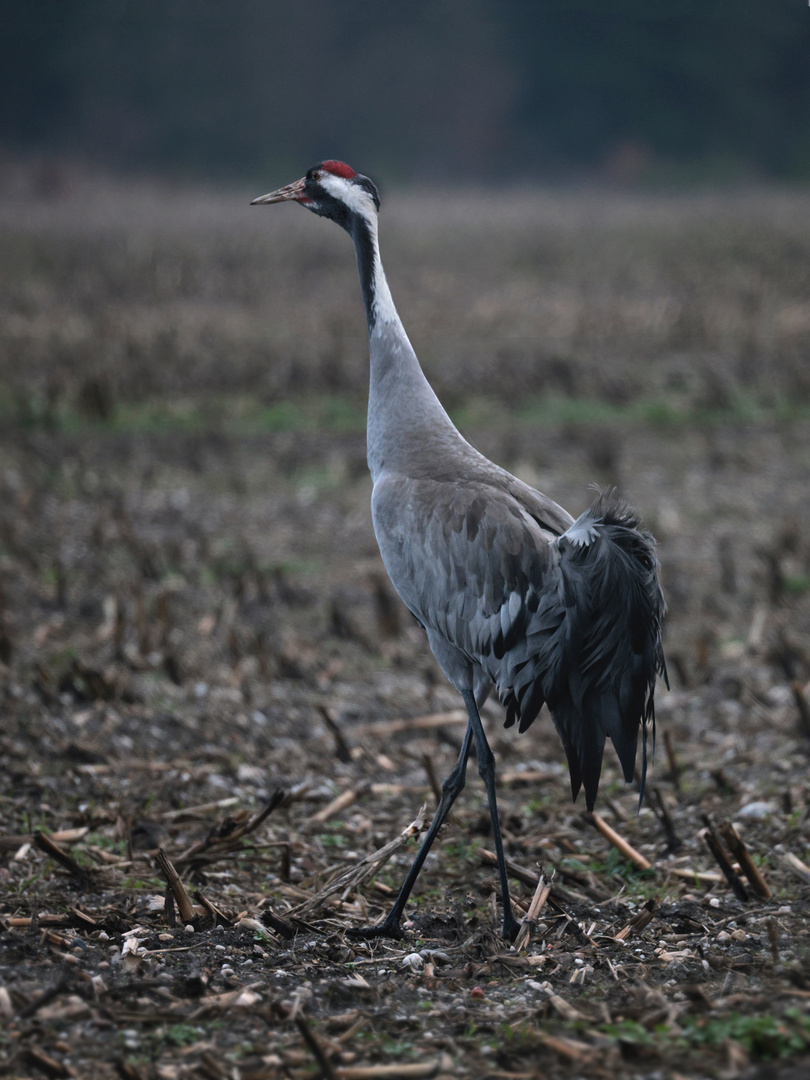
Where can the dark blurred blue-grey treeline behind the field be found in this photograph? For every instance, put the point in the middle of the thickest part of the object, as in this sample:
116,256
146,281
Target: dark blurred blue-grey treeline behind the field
484,88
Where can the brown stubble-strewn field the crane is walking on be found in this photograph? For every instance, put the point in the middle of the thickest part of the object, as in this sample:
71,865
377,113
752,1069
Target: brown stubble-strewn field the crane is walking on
200,653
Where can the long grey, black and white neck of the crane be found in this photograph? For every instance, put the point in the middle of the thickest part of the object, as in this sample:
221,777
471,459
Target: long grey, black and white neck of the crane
409,430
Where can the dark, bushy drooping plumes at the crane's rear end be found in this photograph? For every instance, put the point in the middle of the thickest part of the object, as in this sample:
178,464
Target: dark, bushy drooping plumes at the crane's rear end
597,643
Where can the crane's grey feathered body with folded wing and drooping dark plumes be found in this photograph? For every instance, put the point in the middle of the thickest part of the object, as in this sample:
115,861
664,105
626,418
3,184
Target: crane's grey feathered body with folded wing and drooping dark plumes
549,611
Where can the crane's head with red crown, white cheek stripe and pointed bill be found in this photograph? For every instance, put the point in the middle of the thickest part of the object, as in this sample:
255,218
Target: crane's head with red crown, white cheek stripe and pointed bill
332,190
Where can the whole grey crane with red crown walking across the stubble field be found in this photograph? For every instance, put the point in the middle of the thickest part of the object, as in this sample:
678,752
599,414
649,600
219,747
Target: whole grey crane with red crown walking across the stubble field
511,591
